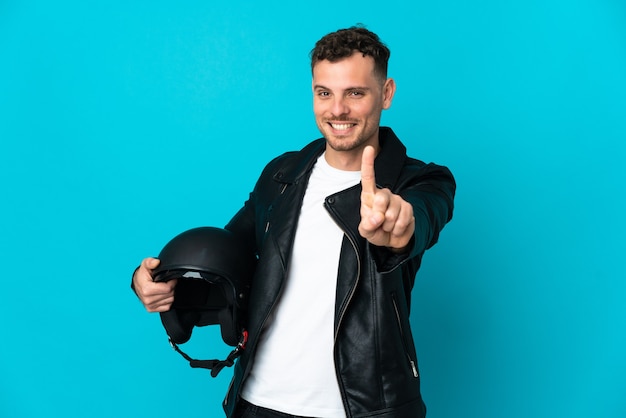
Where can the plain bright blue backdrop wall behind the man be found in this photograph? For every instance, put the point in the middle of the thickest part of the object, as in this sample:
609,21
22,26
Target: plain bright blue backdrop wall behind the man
124,123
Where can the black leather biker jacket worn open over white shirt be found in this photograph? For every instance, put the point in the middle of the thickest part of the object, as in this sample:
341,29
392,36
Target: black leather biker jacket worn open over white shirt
375,358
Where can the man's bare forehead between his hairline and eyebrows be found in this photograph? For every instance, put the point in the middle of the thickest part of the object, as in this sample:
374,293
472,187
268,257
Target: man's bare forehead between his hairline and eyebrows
354,70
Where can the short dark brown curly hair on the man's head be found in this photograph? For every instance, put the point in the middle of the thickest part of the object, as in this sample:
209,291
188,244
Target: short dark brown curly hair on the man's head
343,43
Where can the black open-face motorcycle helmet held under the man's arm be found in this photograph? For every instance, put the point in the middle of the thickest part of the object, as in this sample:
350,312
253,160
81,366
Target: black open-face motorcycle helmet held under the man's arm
214,269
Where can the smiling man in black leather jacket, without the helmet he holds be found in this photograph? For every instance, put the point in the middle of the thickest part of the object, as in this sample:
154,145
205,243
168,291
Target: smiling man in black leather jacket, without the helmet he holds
339,229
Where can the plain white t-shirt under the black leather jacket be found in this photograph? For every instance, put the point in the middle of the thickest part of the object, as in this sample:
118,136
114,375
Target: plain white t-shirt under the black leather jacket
294,369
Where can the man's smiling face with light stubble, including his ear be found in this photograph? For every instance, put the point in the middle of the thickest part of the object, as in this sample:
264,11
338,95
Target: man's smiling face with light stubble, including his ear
348,99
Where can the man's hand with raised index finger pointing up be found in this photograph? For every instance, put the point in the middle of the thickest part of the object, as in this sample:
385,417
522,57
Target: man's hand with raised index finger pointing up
386,219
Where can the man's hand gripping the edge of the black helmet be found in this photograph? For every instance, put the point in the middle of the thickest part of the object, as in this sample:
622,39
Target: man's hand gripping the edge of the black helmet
155,296
